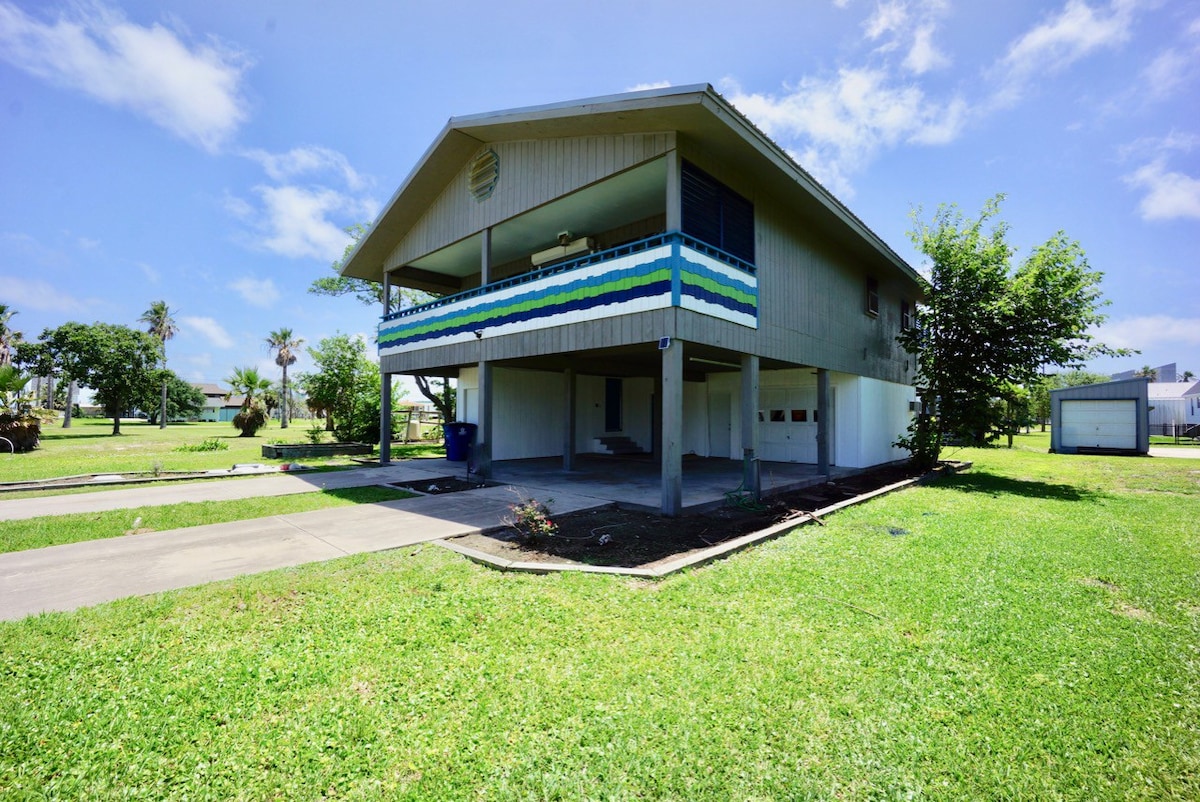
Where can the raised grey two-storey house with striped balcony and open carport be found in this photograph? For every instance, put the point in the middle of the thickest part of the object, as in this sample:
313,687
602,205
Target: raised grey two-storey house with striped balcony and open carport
644,273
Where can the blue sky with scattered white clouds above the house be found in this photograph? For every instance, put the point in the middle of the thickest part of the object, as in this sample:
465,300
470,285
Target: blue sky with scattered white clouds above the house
211,154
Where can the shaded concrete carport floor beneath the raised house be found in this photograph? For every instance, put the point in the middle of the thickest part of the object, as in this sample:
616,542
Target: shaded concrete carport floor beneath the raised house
635,483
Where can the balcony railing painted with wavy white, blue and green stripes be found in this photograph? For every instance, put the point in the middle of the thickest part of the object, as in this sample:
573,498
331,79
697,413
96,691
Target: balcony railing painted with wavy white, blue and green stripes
656,273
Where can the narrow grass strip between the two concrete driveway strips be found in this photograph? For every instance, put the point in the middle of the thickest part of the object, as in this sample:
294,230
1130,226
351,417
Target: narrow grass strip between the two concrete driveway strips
58,530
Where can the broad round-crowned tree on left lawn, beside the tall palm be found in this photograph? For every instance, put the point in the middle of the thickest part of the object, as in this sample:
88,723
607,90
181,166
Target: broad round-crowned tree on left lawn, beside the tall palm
116,362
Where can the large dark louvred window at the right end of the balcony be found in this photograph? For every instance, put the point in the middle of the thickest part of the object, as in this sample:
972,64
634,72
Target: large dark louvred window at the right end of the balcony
716,214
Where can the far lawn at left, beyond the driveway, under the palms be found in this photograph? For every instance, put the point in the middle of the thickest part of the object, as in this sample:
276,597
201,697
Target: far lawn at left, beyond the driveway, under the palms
89,447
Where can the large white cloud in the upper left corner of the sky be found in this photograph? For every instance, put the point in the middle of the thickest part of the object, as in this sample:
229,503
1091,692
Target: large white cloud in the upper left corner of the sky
193,91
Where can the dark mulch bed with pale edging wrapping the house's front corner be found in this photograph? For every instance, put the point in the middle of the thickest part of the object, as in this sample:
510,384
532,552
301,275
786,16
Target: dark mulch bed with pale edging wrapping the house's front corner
610,536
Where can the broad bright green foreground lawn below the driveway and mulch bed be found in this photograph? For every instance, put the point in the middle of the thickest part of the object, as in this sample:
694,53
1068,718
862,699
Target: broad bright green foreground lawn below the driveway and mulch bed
1029,630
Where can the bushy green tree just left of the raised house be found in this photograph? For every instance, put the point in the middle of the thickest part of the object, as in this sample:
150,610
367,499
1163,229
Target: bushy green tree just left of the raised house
346,387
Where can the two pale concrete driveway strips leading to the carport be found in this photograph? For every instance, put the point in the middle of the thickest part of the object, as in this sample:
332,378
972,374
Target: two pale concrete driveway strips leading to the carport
81,574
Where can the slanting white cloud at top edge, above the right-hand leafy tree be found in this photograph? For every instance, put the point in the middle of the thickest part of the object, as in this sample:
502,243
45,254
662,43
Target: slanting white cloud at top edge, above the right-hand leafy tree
1061,40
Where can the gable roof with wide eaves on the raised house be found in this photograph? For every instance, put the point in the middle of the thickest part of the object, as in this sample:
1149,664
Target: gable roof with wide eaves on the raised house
697,111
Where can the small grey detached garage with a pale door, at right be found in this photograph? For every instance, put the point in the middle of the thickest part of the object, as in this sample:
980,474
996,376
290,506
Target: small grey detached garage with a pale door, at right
1111,418
